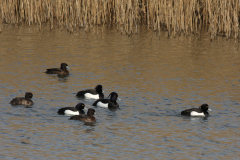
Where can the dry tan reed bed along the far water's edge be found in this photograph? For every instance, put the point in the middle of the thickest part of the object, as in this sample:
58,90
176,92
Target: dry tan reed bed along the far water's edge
219,17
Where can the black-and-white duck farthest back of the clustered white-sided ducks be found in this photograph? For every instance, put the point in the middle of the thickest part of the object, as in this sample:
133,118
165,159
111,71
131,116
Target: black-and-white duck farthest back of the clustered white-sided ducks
96,93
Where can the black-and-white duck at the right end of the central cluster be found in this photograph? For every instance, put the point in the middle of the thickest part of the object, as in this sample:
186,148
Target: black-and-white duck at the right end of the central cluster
108,103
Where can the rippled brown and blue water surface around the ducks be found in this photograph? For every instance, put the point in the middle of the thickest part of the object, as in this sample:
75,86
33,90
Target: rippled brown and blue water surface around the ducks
156,78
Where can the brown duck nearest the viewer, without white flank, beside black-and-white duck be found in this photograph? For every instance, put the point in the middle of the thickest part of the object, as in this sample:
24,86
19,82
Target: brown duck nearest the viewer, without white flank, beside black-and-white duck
86,118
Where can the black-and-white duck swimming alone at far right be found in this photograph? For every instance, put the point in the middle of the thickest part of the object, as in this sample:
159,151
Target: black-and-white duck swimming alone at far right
201,111
